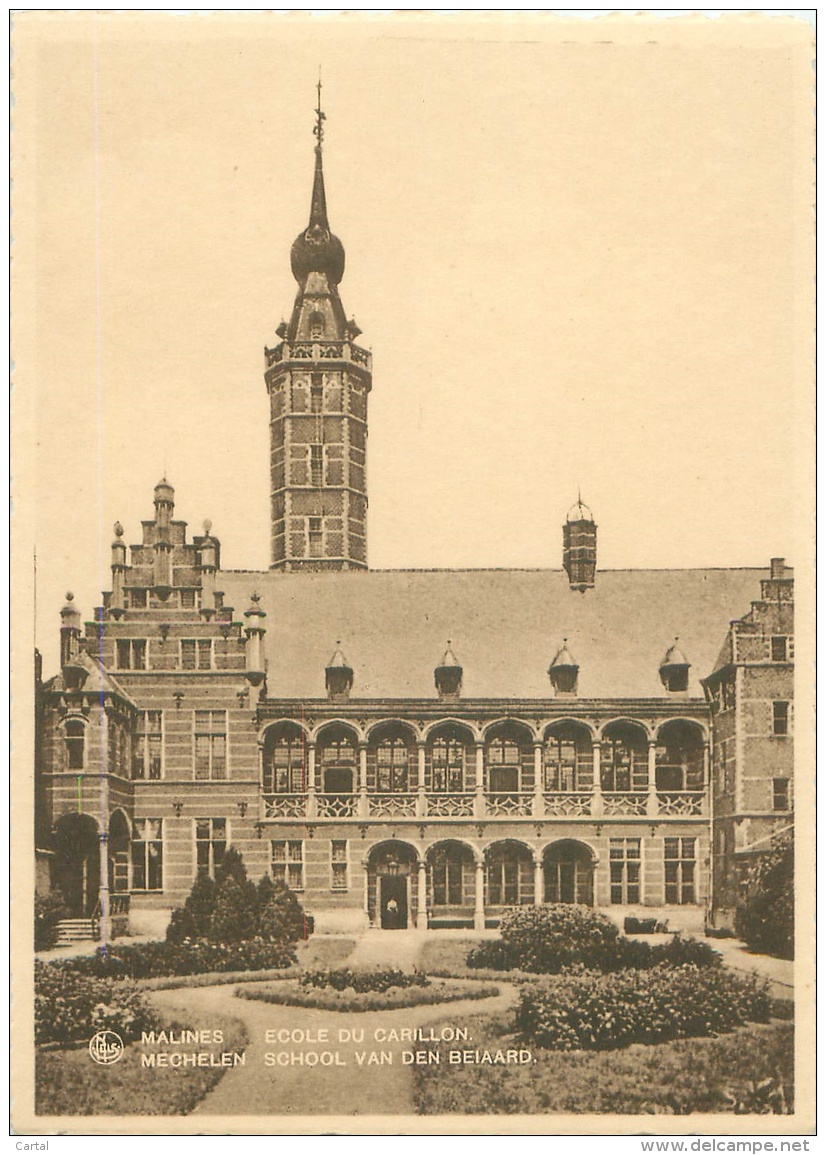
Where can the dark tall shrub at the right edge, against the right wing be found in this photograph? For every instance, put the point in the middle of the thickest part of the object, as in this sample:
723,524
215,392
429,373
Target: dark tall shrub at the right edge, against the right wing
767,918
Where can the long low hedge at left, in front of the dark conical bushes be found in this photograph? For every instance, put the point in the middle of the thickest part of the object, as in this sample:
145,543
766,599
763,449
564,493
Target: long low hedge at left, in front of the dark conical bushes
157,960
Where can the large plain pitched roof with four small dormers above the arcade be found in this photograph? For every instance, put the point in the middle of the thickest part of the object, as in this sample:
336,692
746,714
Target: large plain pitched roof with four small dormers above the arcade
507,624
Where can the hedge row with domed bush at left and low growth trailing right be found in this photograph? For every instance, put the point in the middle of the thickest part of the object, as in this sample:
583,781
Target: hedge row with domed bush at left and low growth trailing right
554,938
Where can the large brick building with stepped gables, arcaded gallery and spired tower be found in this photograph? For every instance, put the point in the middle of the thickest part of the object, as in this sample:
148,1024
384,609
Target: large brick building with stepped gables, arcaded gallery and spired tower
404,748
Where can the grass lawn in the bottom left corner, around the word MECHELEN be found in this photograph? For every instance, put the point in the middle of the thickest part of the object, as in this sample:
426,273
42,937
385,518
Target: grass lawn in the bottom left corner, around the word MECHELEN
69,1083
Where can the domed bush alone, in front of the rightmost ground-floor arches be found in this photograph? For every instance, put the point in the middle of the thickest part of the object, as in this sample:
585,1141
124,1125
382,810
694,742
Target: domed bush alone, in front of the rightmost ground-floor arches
547,940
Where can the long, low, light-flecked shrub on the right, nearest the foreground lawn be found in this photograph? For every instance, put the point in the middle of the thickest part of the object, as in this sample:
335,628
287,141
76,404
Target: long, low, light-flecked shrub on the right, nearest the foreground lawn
602,1012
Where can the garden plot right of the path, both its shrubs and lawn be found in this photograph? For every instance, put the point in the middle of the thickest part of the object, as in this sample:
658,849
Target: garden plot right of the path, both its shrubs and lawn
615,1025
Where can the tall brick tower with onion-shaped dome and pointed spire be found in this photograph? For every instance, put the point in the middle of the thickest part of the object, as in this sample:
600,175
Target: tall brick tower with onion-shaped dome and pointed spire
318,382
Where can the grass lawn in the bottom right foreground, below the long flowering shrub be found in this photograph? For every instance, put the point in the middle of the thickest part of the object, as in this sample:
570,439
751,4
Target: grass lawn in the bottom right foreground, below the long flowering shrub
679,1078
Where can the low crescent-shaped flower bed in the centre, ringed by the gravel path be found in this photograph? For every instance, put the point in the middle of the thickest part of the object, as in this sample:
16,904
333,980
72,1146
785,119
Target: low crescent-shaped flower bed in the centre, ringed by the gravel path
292,994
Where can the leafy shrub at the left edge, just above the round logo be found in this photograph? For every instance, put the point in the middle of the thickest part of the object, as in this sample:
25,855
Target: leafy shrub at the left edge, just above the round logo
70,1007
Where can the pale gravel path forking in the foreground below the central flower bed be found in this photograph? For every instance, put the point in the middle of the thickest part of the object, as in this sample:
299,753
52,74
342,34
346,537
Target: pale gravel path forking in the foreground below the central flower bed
348,1089
